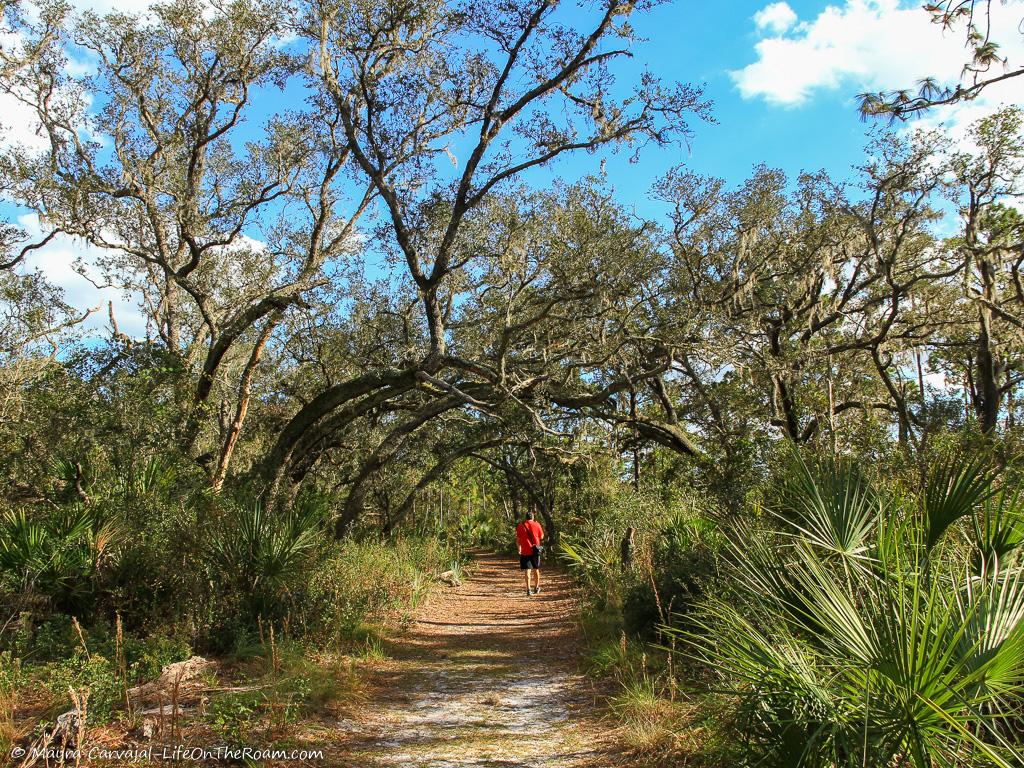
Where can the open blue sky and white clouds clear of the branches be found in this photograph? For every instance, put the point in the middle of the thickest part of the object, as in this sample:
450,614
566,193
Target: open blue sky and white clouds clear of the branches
784,78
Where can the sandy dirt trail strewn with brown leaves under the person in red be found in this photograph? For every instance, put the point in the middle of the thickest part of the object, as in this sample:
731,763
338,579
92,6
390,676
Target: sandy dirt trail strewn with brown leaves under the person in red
486,676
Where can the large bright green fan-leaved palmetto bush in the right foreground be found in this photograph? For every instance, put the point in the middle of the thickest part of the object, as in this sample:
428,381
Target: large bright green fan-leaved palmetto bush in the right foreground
867,629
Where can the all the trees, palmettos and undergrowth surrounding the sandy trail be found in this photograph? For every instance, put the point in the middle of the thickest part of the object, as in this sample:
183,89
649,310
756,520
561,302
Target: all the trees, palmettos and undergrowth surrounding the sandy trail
356,324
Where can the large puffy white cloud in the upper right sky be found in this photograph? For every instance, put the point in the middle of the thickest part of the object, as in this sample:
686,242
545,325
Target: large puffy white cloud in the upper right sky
867,46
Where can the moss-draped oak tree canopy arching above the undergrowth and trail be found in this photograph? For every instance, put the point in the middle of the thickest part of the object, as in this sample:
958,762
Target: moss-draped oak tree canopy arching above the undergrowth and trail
366,288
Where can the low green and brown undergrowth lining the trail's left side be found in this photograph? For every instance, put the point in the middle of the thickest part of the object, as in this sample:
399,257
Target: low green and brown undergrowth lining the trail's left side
290,615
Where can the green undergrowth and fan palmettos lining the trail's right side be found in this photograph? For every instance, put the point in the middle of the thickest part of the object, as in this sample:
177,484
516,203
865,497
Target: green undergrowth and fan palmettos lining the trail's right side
845,617
